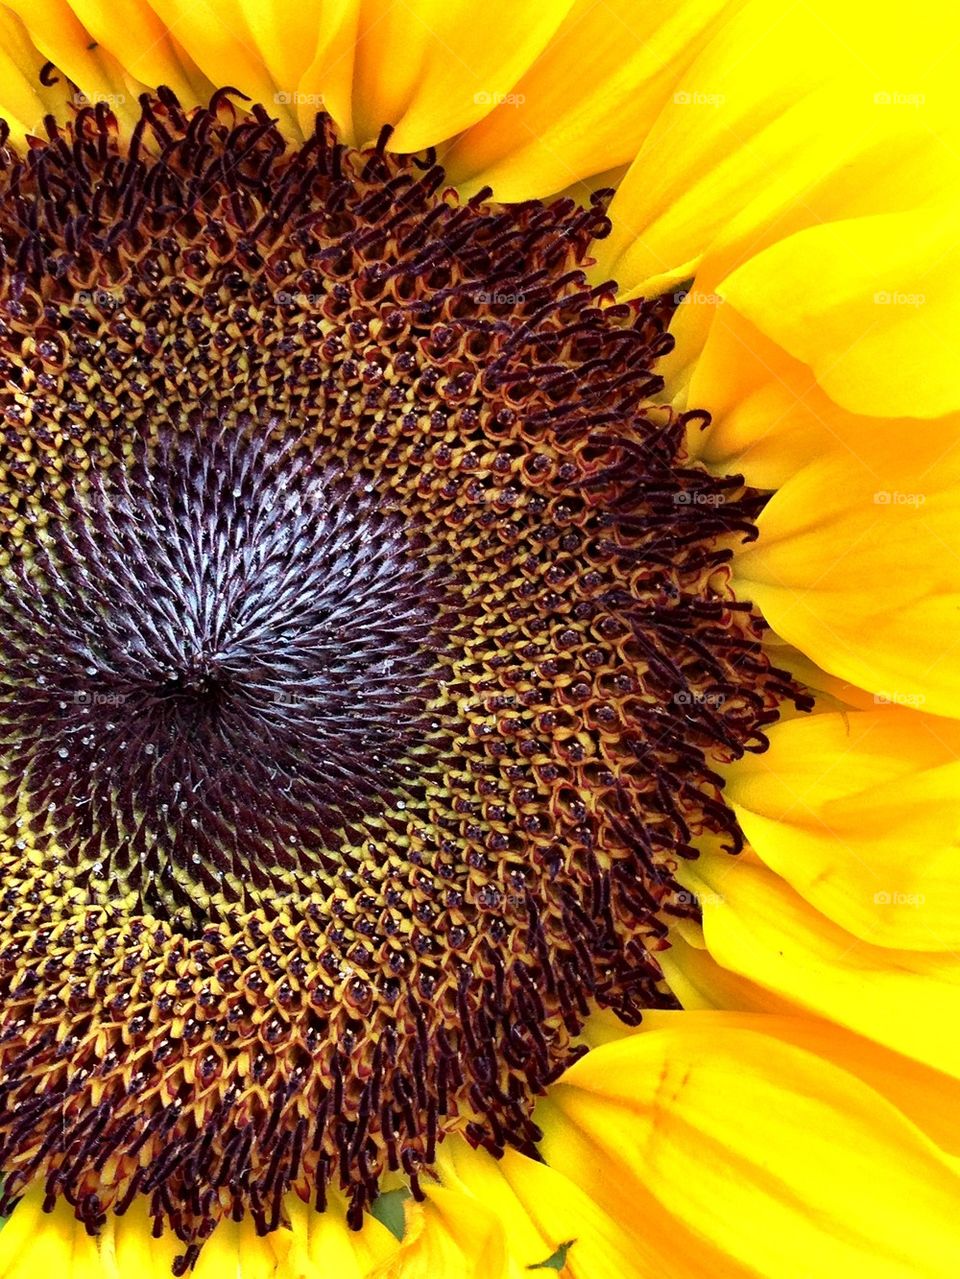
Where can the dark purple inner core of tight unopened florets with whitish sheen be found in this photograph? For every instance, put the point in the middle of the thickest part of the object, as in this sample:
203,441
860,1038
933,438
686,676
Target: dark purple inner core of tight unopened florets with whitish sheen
219,658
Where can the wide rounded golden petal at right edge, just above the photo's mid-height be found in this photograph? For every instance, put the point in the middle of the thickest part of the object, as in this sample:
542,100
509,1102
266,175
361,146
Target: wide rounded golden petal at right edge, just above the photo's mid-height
857,566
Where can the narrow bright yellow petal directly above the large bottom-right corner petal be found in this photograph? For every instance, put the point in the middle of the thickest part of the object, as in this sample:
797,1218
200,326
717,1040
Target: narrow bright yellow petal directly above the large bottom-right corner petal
756,925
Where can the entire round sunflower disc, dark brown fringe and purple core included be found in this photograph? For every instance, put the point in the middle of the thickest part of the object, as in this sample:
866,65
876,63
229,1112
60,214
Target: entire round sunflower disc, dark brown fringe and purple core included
368,653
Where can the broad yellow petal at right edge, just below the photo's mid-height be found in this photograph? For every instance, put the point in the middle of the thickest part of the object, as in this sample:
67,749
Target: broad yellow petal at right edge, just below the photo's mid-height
838,801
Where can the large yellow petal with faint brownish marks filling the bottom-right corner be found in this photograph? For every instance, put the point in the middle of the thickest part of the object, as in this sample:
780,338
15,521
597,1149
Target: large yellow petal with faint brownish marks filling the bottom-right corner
770,1156
